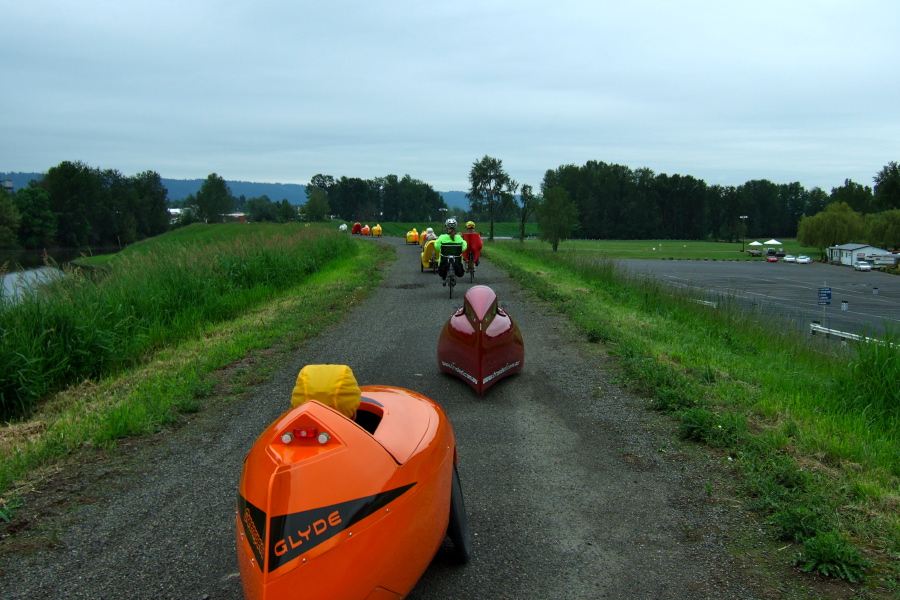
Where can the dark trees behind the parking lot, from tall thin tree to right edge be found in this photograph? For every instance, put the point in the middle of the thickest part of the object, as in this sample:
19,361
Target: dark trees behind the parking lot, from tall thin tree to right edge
607,201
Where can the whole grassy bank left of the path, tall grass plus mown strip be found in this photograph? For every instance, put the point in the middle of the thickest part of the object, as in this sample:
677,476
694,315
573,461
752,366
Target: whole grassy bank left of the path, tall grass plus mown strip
133,348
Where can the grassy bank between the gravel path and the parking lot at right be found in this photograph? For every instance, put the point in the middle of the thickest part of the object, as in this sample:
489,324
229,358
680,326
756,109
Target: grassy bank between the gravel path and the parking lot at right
815,437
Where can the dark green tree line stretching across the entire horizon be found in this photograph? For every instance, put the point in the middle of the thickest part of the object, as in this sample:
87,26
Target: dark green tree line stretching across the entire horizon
75,205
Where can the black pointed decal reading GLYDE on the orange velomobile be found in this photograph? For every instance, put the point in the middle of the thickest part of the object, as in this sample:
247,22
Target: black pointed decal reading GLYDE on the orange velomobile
296,533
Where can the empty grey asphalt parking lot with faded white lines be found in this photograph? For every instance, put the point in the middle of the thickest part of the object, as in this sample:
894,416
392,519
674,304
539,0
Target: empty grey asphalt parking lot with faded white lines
862,302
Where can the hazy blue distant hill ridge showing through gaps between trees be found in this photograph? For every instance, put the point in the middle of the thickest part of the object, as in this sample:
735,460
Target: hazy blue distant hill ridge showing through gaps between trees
179,189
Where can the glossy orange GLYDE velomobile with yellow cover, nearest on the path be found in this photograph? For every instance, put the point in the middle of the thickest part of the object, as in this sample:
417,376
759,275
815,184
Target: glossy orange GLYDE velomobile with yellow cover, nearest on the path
336,507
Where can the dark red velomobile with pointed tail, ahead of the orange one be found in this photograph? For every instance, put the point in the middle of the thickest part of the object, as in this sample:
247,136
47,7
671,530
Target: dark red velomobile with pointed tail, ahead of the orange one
480,343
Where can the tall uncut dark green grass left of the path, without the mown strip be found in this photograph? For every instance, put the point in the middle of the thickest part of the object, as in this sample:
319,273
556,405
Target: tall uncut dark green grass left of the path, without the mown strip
92,323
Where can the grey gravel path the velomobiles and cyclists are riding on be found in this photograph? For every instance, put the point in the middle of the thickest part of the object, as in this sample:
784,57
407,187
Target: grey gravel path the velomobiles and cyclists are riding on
573,488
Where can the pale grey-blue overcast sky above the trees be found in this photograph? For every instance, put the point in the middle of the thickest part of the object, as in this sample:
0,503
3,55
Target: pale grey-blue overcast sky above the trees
726,91
